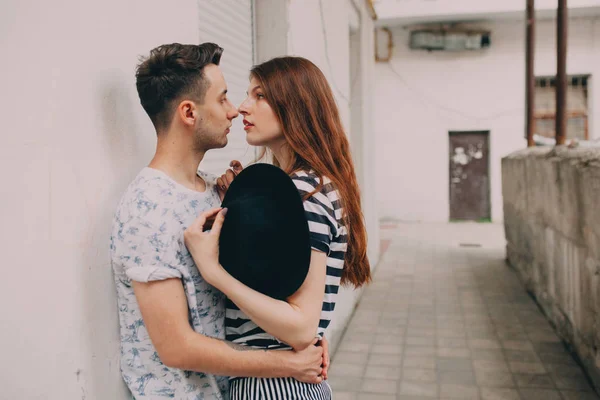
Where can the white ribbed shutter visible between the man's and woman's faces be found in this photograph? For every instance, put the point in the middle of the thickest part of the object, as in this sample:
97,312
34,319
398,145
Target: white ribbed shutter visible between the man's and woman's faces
230,24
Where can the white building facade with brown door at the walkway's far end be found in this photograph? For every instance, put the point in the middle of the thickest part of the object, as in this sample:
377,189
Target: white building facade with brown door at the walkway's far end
443,119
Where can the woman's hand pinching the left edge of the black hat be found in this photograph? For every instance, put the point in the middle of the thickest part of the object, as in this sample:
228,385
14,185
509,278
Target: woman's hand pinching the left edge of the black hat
204,245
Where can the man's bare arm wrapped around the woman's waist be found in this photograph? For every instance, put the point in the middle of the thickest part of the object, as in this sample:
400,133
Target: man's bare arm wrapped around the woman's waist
165,312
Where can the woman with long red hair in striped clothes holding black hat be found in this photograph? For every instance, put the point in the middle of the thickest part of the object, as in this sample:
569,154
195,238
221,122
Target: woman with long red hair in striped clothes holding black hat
290,110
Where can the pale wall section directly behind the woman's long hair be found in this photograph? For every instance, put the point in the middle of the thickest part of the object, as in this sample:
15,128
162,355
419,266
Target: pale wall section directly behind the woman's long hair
321,32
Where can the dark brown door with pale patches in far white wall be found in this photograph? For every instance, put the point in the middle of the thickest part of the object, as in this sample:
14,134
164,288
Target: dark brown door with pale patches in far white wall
469,176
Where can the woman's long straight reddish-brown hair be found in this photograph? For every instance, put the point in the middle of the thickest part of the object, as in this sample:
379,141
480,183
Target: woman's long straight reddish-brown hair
302,100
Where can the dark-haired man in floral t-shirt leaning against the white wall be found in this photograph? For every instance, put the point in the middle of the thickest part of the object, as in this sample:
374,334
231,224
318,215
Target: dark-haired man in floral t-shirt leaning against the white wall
172,321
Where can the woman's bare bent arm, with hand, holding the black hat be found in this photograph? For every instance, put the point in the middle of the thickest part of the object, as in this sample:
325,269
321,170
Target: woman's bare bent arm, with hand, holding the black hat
294,322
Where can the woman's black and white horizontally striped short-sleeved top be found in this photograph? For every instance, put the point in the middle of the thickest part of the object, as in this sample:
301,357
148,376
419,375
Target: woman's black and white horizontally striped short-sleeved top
327,234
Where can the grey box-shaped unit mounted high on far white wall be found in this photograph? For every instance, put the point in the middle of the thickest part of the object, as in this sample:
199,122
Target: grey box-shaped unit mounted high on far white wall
454,40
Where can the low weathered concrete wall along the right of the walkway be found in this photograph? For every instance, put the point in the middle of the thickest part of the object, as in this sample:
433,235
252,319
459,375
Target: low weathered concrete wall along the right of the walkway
553,239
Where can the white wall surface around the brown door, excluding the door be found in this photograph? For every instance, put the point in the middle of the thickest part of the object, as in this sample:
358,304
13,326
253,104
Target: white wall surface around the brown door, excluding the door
433,93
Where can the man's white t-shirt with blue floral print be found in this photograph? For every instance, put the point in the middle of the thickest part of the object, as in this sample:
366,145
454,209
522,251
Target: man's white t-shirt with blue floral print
146,245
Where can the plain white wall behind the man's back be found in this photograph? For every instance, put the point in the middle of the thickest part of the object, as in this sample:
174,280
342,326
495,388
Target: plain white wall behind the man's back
74,135
